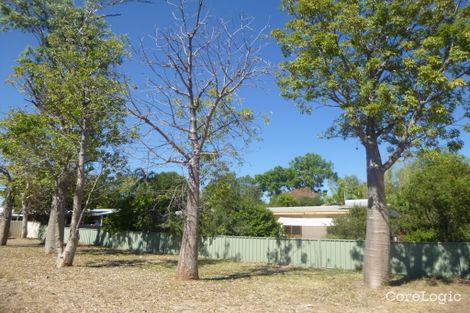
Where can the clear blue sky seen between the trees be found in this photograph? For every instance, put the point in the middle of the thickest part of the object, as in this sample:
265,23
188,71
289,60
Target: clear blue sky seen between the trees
289,134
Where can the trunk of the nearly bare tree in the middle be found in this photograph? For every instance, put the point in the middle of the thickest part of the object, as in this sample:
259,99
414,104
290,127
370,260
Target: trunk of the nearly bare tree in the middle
187,263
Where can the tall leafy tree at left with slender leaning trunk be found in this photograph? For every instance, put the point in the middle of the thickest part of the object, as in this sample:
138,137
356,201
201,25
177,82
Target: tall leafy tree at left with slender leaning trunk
71,76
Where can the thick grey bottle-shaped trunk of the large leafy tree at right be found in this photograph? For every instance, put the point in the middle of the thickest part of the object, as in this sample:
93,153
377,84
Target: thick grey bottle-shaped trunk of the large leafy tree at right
377,249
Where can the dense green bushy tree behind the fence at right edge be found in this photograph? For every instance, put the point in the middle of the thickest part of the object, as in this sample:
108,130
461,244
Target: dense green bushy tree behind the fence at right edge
433,198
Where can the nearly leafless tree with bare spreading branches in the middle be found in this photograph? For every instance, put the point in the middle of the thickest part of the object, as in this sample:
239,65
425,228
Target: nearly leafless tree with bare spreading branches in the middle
191,112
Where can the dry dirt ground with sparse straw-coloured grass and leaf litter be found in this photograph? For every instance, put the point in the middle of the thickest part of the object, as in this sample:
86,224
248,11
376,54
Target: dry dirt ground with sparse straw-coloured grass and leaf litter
104,280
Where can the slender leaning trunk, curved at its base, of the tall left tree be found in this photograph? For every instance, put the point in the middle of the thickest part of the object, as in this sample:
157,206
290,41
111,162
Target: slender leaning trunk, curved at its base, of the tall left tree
67,256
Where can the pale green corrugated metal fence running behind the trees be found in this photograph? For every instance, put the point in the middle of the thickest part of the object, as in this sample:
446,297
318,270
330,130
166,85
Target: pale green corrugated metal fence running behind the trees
412,259
